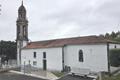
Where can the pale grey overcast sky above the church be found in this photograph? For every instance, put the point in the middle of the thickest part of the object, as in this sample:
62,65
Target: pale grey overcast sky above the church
51,19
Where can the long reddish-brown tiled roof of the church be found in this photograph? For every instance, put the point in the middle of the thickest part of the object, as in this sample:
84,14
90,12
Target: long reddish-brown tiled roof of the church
67,41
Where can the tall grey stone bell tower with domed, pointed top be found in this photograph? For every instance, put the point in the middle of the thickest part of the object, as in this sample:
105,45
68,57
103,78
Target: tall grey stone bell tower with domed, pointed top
22,31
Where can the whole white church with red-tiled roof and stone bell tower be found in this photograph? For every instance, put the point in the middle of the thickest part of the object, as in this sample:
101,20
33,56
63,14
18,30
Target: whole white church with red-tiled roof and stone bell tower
88,52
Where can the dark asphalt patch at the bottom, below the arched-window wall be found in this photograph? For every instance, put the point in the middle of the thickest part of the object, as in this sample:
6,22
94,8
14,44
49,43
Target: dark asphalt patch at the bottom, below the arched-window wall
70,77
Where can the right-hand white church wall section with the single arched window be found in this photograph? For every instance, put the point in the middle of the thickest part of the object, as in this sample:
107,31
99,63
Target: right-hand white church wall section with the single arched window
94,57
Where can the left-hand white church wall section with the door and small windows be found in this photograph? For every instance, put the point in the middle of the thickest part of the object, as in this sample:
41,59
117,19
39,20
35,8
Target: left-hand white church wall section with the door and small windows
53,57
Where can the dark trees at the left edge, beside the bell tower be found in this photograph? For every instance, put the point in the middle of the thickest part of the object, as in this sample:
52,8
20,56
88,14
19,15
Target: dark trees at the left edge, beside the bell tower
9,49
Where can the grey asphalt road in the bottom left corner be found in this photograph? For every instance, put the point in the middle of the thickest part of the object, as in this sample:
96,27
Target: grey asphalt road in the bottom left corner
13,76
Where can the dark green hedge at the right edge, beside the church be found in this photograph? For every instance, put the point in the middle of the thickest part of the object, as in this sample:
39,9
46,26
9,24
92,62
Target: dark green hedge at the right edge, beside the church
115,57
